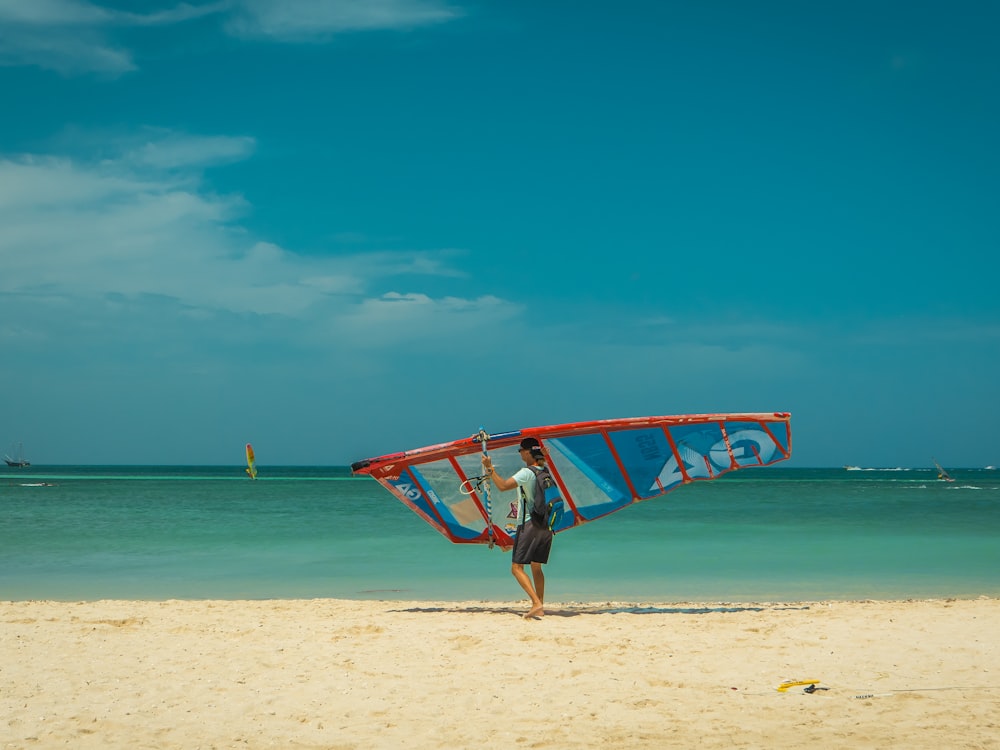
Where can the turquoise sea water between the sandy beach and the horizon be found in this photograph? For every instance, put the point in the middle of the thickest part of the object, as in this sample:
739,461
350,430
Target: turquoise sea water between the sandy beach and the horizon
771,534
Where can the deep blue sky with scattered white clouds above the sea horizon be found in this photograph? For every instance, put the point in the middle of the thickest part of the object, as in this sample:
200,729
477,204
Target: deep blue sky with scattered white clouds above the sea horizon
341,229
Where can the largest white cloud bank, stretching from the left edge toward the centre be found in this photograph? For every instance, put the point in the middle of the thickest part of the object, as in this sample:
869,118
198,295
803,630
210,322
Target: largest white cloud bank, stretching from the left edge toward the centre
141,225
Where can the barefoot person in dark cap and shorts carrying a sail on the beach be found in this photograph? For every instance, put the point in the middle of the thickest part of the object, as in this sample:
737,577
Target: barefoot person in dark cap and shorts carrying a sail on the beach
534,538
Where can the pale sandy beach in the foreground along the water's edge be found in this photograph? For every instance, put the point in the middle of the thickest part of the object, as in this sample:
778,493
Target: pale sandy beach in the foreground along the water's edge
362,674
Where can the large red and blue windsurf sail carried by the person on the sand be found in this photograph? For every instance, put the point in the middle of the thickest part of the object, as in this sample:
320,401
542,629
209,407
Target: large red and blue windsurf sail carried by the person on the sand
600,467
